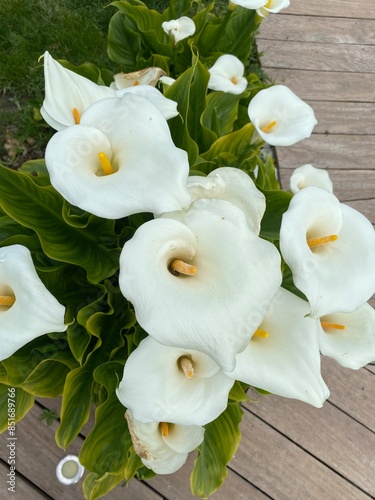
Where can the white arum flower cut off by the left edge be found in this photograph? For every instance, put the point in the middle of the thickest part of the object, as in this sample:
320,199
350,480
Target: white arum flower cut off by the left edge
27,309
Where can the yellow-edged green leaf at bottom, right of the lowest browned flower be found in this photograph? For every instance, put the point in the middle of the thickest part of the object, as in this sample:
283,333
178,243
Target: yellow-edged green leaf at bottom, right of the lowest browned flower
221,440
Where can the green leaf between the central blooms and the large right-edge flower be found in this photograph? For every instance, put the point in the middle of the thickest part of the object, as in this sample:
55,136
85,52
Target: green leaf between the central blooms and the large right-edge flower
277,202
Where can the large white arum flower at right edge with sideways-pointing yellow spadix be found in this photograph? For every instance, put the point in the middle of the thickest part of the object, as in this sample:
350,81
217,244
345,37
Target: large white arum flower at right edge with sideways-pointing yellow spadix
330,249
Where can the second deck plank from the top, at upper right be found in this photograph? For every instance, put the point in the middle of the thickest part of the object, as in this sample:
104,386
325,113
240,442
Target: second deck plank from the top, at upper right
300,28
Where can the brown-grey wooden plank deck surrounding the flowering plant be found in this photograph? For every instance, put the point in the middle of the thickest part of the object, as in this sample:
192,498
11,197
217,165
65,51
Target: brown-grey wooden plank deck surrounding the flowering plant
325,52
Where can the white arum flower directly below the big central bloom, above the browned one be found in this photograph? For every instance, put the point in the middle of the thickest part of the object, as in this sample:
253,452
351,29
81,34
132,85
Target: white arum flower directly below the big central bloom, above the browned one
171,384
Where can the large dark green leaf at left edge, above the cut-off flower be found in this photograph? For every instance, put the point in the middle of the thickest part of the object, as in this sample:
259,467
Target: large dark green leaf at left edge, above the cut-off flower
40,208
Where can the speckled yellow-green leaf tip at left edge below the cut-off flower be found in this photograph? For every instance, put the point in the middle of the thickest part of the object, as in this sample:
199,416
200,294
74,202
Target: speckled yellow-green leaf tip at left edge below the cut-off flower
13,398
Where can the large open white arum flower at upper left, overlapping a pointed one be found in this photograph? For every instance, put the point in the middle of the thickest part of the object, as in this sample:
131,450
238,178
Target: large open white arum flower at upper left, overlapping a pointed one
103,167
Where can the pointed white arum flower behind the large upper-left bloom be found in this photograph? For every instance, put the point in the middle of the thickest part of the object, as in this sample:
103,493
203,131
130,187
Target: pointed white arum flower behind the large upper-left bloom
66,90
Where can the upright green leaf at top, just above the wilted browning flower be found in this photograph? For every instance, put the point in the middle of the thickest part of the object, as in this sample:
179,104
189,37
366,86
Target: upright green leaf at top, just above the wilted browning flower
124,44
